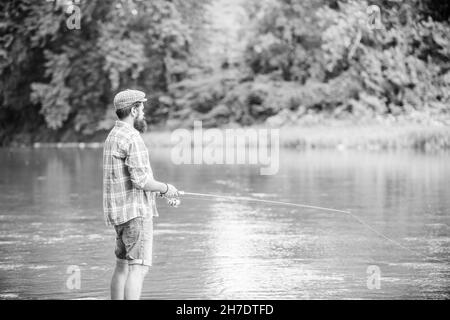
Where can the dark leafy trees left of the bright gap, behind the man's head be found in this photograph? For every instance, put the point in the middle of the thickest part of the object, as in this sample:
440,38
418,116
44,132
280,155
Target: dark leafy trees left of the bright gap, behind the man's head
58,75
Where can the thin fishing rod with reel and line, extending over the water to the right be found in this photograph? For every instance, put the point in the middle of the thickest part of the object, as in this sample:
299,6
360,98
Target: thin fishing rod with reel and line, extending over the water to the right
175,202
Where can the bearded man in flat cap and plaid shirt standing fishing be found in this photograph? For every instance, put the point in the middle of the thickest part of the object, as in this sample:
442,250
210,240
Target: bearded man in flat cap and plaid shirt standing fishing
129,190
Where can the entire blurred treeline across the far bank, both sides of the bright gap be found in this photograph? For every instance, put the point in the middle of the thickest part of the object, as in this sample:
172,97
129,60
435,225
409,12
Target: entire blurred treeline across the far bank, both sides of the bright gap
303,58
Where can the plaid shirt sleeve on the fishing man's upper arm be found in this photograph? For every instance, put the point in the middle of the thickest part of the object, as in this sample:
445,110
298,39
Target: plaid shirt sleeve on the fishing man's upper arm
138,163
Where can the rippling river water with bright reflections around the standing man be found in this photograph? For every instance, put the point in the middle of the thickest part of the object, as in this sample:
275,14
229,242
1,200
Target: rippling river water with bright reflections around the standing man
51,218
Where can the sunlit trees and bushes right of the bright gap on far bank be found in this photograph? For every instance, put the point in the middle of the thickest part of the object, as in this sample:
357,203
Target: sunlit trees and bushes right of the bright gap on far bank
307,59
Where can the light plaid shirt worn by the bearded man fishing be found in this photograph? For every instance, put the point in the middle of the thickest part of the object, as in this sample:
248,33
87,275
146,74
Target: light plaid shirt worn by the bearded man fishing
126,170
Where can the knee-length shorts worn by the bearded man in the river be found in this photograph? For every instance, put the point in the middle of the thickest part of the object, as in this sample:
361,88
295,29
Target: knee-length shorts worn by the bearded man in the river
134,241
